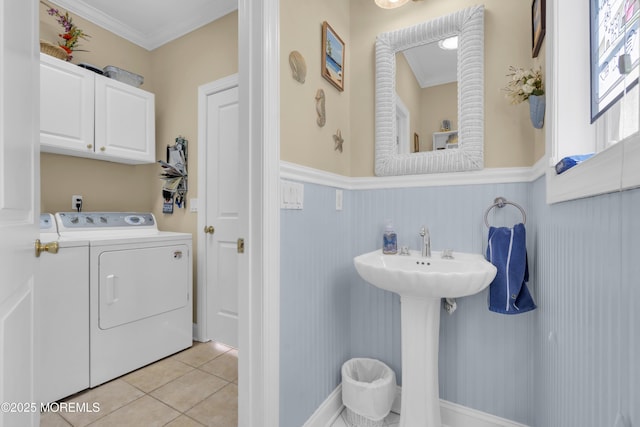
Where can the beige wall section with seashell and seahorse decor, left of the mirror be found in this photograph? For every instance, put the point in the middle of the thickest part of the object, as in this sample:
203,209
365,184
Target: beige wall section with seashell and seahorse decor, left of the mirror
303,141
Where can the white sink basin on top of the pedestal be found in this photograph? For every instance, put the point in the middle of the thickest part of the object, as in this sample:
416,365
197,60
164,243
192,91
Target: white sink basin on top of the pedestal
435,277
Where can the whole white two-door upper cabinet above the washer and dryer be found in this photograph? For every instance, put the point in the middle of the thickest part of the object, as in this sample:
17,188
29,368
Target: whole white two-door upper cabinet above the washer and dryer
88,115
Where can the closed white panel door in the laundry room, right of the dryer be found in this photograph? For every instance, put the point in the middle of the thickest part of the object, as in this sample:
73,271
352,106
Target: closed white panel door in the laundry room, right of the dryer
221,209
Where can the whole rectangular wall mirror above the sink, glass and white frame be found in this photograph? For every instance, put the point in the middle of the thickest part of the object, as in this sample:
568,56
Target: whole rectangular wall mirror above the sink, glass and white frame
409,124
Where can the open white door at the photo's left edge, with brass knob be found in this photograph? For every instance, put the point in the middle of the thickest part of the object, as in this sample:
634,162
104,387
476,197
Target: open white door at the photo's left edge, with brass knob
19,193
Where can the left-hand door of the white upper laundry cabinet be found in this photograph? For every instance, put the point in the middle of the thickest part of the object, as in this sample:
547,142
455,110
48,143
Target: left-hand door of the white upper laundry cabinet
66,107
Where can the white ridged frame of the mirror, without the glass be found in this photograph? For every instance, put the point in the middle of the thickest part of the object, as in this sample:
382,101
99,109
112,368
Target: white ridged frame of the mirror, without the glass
468,25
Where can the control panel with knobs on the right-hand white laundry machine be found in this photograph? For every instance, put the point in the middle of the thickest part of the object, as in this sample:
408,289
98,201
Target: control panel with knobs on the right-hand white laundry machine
104,220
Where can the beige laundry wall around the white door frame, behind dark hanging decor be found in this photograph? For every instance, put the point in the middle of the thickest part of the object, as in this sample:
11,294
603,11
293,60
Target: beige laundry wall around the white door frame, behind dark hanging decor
180,67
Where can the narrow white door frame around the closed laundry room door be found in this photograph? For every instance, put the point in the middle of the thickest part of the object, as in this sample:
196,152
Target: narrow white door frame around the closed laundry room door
204,91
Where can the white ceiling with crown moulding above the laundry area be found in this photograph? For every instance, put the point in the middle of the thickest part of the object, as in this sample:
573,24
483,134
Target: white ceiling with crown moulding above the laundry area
149,23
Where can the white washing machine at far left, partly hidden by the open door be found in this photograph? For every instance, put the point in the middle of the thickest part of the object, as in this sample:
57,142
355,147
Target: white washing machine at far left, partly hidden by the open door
62,316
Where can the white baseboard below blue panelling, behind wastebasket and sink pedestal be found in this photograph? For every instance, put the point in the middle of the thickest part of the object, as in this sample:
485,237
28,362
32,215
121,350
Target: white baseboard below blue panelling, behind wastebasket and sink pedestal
453,415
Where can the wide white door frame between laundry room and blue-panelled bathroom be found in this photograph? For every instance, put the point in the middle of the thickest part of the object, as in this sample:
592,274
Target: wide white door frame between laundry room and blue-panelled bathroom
259,275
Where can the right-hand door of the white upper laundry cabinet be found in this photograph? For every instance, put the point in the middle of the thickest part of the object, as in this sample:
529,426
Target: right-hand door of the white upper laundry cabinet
125,122
